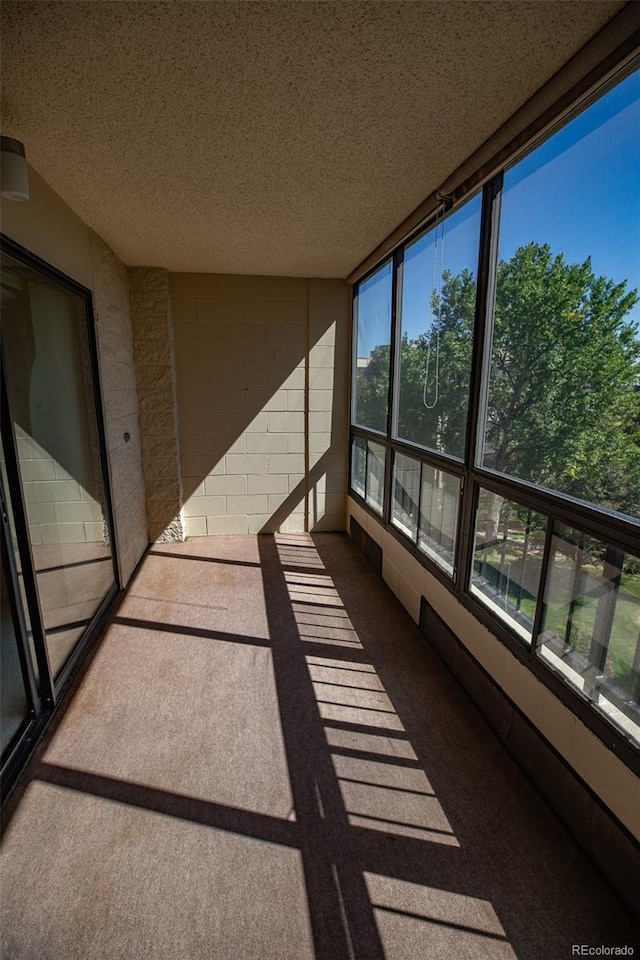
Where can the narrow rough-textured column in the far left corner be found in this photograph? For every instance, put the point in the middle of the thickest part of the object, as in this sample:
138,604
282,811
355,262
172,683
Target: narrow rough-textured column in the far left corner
153,352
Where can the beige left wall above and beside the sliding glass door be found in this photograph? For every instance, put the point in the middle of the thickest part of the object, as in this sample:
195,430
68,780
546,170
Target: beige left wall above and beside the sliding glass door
47,227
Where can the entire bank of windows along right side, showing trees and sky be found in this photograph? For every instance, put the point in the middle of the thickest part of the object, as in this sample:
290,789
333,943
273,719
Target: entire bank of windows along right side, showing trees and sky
514,427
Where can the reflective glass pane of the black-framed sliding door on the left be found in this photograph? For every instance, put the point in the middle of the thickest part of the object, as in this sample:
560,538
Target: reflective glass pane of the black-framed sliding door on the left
45,342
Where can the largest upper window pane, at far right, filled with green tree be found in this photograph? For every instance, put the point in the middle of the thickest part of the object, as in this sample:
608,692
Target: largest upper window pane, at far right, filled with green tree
563,401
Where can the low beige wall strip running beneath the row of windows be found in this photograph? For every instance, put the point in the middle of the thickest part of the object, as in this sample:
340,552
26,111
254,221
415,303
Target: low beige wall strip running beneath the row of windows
610,779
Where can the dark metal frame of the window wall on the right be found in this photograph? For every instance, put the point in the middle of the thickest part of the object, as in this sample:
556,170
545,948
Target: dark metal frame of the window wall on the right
559,509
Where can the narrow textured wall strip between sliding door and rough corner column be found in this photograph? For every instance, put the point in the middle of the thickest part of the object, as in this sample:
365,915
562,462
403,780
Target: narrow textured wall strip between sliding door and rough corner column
120,403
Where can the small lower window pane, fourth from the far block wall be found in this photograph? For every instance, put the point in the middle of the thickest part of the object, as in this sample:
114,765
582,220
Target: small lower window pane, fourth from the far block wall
439,516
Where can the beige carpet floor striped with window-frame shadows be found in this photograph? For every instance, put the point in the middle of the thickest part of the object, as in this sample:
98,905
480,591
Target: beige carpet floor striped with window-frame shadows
265,762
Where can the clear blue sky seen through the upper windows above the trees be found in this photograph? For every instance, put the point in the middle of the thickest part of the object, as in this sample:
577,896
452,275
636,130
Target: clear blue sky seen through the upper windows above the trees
579,192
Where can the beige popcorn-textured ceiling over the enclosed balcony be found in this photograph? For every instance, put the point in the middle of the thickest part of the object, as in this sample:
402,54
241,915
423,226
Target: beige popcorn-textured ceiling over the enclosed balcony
268,137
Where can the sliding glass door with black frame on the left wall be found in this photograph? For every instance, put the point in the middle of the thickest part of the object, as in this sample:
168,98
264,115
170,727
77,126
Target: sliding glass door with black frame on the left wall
58,549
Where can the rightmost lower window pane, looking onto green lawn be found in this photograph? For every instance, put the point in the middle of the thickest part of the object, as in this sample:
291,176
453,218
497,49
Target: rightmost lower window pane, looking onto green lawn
591,624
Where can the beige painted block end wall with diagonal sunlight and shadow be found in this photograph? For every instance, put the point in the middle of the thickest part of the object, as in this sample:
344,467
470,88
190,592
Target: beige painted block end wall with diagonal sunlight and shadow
262,378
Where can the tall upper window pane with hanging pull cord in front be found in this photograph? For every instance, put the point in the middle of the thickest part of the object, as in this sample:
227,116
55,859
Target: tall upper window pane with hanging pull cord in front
438,311
